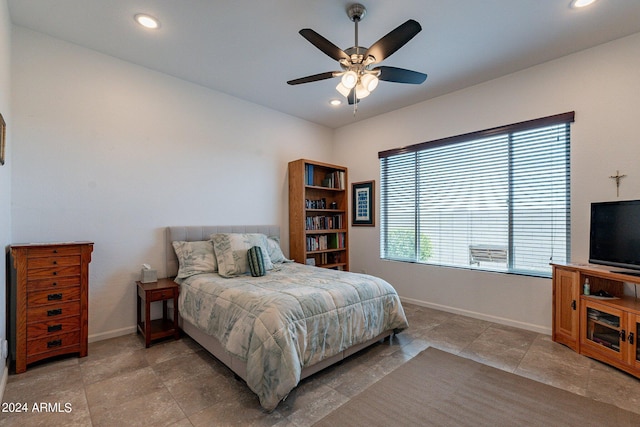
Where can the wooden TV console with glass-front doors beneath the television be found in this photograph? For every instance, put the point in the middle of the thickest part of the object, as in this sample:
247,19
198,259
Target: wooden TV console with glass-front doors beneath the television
605,329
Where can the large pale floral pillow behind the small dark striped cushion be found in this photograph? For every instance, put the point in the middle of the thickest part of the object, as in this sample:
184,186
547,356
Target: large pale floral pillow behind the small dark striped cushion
231,252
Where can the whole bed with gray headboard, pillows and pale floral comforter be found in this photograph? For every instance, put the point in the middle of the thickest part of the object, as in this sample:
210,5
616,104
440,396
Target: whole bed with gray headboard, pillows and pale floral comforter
274,330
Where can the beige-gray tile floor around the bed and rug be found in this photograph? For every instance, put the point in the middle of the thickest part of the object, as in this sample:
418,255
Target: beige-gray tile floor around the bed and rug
177,383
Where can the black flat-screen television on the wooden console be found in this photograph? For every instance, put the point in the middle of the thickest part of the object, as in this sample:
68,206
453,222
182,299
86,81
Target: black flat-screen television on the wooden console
615,234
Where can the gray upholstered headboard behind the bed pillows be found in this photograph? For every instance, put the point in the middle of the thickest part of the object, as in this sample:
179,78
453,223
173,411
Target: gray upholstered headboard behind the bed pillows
193,233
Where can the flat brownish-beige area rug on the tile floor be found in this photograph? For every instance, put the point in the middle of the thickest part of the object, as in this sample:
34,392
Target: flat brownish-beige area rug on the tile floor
436,388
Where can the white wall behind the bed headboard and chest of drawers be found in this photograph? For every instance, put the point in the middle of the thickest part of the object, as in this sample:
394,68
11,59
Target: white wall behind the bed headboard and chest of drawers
112,153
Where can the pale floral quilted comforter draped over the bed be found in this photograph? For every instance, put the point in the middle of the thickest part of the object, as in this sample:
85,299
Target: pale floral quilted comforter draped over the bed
291,318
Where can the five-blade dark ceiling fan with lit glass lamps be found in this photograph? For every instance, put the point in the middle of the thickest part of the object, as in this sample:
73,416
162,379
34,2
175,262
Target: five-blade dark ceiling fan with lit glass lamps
358,78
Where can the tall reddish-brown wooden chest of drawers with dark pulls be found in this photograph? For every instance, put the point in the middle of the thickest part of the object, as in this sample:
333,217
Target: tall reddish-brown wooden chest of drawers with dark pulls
48,301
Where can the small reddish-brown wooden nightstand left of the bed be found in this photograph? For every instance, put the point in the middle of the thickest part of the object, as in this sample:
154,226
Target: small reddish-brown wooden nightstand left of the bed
162,290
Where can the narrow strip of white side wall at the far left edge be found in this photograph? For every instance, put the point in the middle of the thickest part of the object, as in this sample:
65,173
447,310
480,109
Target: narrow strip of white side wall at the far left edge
5,171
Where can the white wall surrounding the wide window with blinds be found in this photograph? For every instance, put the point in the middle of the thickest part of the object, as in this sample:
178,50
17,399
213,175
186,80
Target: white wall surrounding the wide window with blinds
600,84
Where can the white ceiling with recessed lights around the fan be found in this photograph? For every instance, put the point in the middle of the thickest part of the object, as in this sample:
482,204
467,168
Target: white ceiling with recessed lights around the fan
249,49
